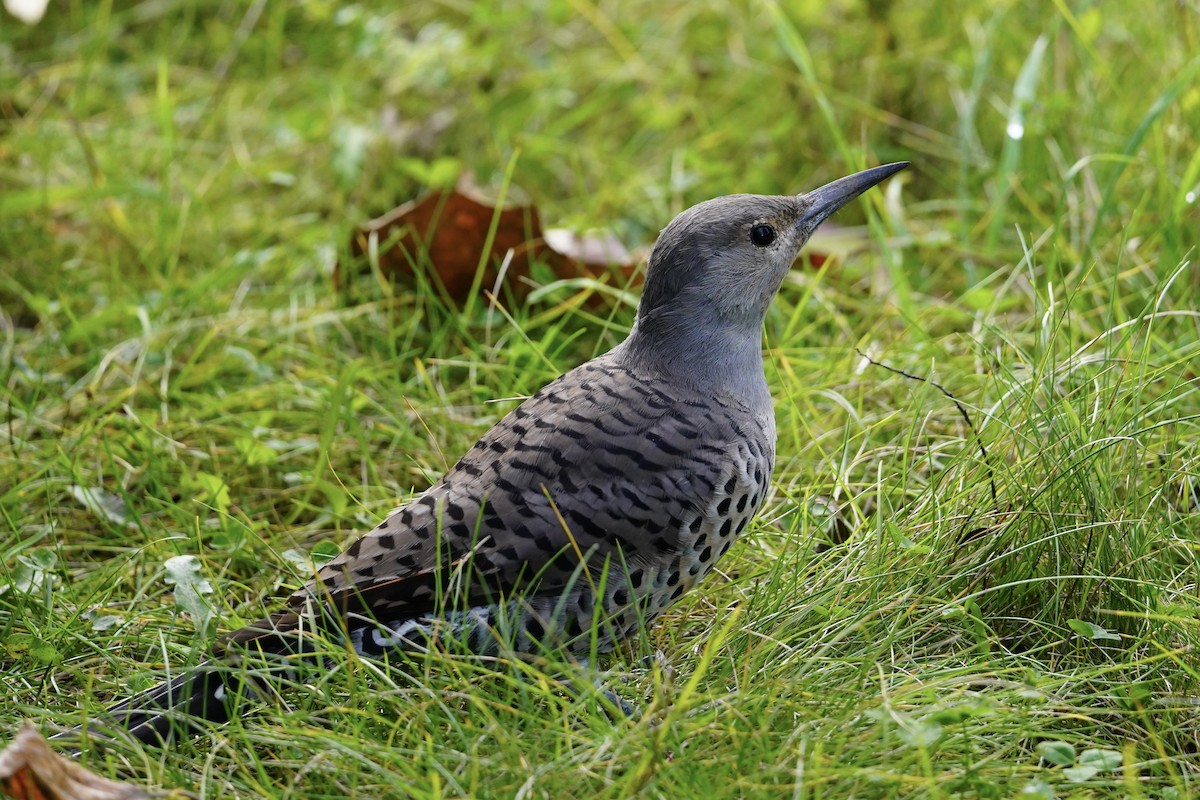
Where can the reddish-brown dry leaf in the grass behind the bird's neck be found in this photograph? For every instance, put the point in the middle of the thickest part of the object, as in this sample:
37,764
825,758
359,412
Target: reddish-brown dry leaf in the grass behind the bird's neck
452,230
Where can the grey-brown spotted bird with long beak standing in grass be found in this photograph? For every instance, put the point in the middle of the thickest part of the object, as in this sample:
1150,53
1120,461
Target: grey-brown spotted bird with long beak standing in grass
593,506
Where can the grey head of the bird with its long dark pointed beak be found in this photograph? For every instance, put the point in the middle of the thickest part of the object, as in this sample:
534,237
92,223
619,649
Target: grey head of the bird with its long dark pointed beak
728,257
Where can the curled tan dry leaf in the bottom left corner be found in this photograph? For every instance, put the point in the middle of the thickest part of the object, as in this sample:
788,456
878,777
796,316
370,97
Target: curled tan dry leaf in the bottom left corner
31,771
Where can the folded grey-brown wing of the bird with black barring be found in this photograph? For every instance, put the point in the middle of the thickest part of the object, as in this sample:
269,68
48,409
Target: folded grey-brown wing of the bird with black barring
598,465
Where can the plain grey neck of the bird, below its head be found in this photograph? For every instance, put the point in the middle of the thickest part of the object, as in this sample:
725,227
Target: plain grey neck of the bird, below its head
710,354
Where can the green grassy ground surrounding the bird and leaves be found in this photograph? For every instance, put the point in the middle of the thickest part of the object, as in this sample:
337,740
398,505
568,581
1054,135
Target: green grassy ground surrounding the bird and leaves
181,380
